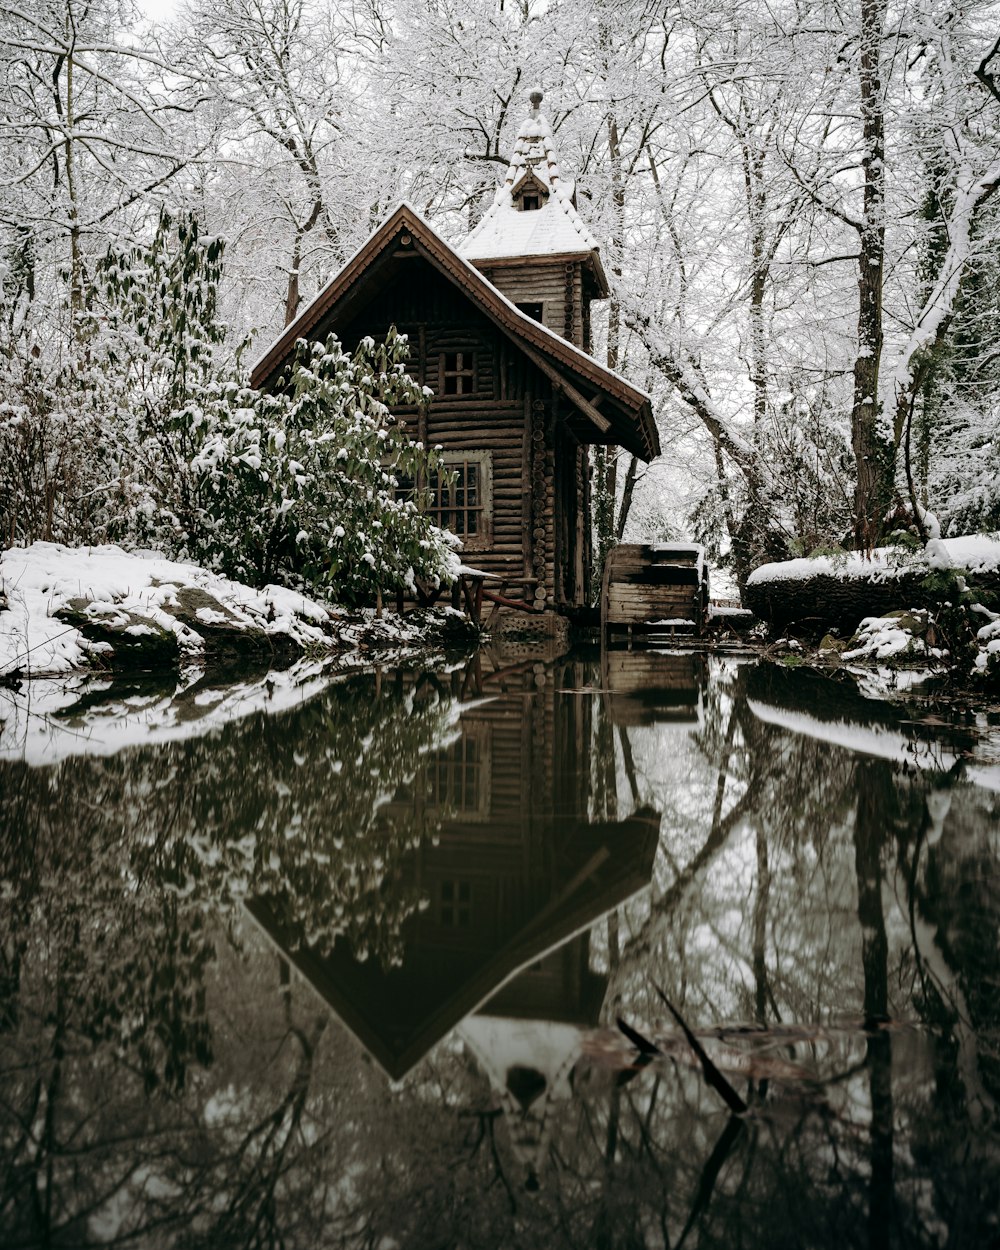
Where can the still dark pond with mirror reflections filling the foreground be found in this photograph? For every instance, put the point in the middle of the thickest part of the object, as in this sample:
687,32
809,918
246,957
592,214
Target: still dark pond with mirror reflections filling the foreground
308,963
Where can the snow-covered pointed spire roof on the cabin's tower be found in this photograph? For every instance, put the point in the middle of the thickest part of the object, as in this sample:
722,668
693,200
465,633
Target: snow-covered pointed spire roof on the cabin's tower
556,228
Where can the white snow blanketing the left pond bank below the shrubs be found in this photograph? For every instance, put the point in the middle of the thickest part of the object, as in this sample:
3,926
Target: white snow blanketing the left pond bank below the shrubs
121,588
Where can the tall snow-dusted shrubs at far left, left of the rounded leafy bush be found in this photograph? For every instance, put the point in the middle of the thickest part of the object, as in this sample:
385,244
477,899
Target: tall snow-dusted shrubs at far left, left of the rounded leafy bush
88,443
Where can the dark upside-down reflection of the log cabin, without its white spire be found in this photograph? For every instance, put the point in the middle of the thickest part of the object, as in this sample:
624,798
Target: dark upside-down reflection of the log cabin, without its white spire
516,881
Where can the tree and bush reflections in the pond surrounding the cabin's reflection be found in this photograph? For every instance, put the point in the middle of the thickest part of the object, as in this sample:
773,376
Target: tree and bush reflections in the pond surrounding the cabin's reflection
788,894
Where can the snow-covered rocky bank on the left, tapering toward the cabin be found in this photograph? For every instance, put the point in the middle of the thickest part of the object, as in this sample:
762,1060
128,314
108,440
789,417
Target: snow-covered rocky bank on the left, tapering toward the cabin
69,609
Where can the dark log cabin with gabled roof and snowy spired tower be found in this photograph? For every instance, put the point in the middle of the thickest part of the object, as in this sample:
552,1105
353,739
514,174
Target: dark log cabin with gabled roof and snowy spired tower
499,329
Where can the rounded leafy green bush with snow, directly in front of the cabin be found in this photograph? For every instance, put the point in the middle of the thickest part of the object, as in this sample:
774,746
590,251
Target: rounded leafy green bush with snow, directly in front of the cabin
314,484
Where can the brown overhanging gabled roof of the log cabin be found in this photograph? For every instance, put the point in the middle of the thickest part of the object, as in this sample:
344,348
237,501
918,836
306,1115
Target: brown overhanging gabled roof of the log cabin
627,419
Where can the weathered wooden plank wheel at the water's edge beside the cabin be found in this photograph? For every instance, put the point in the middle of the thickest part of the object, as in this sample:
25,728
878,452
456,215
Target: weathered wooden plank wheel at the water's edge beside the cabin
656,588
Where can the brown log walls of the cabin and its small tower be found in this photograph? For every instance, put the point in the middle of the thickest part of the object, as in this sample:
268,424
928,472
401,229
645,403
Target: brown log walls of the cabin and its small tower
539,528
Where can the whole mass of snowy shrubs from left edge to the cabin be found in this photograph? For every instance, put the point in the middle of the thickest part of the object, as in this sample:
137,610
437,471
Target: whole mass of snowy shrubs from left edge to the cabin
149,437
